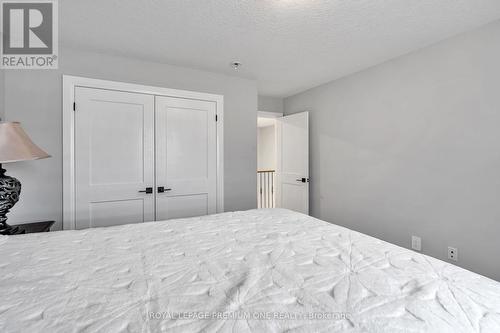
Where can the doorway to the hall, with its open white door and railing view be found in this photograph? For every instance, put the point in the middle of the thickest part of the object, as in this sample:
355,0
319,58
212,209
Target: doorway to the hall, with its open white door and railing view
283,161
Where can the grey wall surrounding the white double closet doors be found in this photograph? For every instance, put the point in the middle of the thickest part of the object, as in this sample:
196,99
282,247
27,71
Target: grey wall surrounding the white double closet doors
34,98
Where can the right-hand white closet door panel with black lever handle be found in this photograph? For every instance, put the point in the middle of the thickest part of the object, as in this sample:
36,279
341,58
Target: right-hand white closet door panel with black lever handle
185,158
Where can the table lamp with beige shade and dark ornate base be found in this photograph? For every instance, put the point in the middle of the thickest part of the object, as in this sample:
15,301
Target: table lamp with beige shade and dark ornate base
15,146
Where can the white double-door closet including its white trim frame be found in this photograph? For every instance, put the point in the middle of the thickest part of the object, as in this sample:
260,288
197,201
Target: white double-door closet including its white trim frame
135,153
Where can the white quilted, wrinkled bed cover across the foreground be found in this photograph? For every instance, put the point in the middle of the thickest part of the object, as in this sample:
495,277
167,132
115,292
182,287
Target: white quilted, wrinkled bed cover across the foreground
254,271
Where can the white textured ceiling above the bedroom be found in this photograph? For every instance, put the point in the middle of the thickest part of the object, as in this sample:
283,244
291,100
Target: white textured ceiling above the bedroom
286,45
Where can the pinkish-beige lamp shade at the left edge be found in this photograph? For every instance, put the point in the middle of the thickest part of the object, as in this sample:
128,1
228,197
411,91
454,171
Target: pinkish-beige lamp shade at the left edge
15,144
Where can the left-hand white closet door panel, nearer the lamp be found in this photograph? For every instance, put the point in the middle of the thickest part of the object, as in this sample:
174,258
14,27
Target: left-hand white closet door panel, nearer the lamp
114,157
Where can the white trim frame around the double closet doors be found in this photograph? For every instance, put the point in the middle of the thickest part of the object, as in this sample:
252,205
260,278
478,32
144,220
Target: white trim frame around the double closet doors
69,85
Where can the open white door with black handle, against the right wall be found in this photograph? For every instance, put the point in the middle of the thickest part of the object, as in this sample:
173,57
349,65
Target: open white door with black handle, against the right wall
292,162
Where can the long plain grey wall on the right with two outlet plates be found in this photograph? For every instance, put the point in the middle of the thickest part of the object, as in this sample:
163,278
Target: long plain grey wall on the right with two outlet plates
412,147
